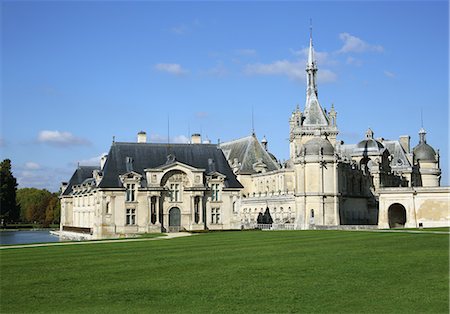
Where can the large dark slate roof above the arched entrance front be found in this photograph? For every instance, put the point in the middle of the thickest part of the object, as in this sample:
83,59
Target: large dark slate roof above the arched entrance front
152,155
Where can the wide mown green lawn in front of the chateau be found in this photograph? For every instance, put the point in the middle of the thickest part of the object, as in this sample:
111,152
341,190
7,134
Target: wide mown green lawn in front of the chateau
241,272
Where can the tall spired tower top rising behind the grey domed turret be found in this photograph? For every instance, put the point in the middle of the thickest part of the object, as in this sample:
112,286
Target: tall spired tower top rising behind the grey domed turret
314,119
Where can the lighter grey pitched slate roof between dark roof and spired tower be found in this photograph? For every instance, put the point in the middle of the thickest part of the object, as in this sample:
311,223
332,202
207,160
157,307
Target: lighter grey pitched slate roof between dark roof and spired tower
248,151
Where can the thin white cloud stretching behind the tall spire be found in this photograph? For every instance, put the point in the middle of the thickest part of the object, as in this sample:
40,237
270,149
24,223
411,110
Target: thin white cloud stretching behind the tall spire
293,70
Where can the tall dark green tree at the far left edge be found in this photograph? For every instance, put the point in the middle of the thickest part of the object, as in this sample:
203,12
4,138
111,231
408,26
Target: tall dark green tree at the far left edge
9,210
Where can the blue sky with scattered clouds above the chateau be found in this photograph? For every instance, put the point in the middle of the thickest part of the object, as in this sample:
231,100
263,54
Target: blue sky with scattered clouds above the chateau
75,74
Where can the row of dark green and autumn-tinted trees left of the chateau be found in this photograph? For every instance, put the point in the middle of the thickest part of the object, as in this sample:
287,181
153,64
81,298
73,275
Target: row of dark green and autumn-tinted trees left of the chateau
26,205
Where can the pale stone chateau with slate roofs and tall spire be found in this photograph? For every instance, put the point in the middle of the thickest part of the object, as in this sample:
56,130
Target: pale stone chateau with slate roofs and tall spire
147,187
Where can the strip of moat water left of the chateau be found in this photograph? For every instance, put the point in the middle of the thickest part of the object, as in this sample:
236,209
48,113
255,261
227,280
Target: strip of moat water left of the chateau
25,237
